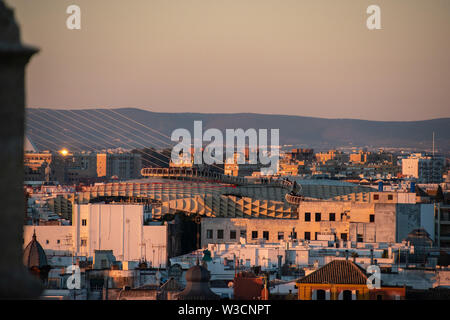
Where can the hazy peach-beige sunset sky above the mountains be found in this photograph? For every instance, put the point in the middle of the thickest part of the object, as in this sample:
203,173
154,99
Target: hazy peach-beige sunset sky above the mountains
296,57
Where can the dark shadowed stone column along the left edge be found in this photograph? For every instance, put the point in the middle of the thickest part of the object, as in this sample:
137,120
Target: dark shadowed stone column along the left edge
15,281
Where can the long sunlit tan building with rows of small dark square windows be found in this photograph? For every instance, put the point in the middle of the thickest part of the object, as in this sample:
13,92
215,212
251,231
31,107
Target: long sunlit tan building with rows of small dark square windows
378,217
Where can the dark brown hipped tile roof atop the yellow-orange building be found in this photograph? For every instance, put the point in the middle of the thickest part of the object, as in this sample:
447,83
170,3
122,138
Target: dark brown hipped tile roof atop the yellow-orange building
337,272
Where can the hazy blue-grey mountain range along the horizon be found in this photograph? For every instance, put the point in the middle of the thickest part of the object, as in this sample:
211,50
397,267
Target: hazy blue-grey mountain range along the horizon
136,128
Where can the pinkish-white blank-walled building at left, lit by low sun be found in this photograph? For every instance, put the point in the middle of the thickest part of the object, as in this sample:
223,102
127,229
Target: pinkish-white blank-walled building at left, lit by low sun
116,227
